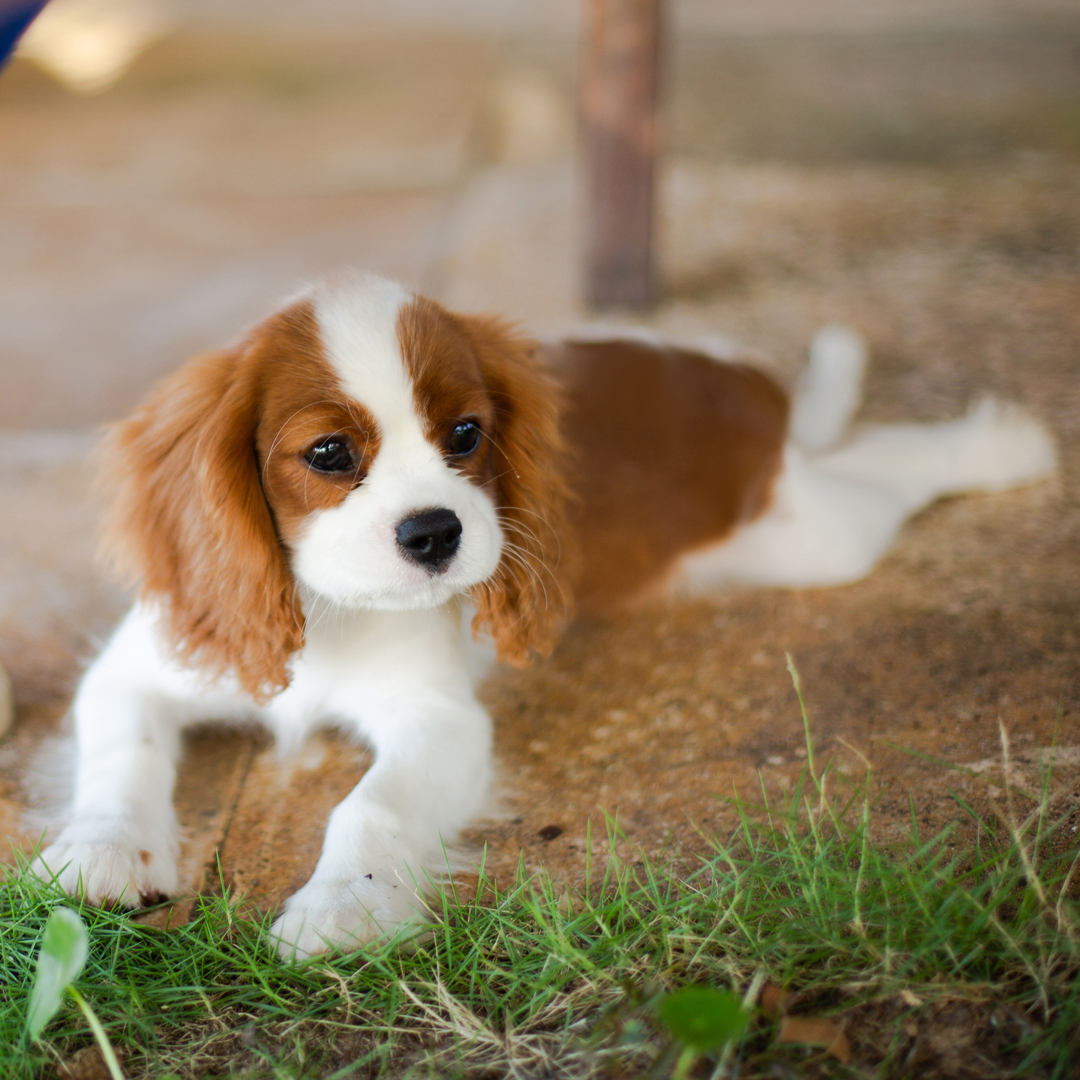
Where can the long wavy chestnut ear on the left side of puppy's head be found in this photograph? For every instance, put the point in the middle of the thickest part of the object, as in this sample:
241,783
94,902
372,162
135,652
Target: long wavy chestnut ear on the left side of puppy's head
186,516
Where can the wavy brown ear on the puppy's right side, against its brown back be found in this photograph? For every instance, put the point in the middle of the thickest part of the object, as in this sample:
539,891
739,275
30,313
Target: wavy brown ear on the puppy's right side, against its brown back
525,604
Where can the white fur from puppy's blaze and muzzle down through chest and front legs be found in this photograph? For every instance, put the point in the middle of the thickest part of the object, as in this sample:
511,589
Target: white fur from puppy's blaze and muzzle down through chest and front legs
386,657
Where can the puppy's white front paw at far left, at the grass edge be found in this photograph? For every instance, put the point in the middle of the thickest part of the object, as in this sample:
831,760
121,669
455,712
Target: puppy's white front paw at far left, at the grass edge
106,862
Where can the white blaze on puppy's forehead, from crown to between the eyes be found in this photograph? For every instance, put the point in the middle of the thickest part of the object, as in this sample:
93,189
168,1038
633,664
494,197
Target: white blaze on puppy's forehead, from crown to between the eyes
359,325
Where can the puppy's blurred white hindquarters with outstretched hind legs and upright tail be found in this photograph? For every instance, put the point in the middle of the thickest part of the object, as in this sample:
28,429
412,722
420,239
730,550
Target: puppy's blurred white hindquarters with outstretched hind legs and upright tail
835,515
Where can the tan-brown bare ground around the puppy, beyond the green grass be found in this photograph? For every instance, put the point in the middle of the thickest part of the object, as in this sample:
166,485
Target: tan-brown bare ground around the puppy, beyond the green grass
921,186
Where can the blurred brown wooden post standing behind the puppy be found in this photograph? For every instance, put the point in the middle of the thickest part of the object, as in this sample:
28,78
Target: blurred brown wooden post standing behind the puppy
618,103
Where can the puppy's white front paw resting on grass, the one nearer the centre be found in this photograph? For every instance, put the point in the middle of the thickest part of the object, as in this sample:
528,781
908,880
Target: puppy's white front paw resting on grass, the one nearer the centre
344,915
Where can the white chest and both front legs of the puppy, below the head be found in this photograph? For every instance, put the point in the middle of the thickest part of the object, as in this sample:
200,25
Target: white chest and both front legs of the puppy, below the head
397,680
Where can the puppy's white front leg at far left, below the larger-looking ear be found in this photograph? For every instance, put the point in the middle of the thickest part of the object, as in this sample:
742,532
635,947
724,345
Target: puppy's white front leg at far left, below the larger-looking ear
121,842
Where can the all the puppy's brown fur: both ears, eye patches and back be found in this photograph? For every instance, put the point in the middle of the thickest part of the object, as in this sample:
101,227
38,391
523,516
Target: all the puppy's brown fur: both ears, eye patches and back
208,480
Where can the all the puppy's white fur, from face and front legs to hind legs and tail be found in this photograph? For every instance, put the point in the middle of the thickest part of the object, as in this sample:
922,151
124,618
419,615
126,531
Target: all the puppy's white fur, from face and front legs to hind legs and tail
388,655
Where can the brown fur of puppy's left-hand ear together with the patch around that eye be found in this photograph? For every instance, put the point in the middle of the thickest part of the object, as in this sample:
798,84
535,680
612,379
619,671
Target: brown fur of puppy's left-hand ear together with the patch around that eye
187,510
